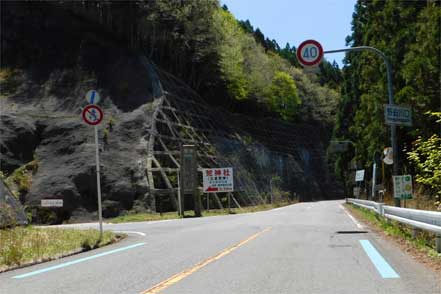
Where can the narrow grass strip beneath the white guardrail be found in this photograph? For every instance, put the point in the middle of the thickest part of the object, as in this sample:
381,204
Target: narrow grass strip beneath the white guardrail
423,243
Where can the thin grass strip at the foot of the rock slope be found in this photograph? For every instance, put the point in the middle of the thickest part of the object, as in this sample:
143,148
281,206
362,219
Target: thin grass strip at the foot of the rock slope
141,217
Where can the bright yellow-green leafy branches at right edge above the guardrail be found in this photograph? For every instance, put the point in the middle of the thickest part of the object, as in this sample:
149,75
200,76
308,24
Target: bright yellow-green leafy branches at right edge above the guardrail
426,158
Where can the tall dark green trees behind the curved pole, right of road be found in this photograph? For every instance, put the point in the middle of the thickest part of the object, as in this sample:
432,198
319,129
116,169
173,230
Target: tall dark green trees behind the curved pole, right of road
408,32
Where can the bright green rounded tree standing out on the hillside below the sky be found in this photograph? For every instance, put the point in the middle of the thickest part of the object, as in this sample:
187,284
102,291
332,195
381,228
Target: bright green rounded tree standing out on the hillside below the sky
283,97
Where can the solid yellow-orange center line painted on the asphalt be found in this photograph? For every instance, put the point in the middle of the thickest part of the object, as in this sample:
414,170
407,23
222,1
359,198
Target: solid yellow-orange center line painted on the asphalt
185,273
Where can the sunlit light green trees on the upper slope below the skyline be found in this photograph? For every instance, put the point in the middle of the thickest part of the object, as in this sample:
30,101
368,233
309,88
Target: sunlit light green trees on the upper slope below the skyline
252,70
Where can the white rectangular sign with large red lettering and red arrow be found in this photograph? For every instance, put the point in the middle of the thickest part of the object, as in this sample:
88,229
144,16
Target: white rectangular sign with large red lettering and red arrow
218,180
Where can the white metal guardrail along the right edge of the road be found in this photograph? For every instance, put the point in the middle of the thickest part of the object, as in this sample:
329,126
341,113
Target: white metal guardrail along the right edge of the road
418,219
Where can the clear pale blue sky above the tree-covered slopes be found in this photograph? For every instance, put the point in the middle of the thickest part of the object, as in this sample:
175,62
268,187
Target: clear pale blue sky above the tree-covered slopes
293,21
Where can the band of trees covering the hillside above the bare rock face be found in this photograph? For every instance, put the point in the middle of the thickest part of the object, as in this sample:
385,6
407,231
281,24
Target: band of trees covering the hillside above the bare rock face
223,59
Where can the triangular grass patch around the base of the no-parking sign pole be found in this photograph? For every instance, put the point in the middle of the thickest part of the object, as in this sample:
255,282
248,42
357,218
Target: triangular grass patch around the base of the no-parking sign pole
28,245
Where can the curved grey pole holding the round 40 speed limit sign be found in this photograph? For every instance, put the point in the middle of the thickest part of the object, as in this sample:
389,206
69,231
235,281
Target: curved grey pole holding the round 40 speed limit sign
393,128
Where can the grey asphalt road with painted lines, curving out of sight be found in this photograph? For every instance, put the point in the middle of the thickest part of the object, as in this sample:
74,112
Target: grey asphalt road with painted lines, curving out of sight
294,249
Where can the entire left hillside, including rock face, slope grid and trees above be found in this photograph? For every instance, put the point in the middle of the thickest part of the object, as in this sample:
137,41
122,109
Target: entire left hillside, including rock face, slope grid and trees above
229,89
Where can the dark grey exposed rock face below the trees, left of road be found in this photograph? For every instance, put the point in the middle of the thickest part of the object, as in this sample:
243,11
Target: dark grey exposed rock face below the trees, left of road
40,120
